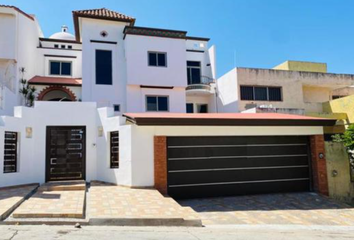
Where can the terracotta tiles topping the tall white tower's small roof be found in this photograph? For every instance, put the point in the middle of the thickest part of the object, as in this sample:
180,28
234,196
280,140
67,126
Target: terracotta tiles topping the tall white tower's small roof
103,13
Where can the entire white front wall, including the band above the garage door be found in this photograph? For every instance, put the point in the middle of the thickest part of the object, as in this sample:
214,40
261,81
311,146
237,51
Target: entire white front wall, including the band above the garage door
136,150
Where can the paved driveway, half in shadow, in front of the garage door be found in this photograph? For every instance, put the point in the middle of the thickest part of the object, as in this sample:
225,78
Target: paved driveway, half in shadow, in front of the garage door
291,208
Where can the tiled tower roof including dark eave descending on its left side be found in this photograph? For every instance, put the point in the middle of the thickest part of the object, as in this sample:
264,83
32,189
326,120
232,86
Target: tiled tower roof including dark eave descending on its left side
99,13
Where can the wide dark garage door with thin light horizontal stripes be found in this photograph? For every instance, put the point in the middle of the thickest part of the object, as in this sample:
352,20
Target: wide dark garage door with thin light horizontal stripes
222,166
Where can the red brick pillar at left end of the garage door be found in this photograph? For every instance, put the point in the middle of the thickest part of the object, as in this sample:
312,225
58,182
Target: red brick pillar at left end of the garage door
160,163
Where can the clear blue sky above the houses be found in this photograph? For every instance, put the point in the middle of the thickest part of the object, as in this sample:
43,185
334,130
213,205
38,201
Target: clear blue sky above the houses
247,33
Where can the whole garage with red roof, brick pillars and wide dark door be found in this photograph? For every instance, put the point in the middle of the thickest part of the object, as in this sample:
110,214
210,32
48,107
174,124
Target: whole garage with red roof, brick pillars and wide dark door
228,154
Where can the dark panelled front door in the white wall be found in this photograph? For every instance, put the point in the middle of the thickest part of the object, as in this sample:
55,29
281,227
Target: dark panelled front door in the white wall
65,153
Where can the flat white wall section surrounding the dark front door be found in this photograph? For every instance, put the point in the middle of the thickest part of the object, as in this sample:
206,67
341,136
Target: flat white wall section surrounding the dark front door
32,151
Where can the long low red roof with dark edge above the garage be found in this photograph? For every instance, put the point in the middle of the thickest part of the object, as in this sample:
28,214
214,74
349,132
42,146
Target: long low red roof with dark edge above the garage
227,119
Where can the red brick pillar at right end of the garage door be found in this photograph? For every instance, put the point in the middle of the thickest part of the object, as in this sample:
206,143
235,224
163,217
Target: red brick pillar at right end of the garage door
319,168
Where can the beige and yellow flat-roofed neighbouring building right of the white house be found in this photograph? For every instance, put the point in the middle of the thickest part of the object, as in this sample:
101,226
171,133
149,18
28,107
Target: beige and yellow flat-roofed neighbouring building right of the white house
288,90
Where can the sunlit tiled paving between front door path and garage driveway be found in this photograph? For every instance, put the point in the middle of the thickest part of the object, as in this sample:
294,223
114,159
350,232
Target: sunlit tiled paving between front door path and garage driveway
107,201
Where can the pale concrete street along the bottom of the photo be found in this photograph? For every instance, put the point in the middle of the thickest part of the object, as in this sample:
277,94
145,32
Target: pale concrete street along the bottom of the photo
177,233
